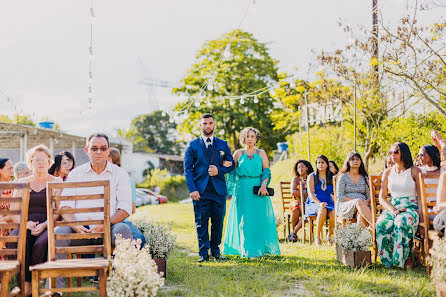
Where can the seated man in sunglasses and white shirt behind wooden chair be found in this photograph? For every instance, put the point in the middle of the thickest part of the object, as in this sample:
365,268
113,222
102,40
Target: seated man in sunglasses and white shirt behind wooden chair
98,150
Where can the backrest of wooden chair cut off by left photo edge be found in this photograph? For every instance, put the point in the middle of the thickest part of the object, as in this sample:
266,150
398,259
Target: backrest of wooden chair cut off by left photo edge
7,190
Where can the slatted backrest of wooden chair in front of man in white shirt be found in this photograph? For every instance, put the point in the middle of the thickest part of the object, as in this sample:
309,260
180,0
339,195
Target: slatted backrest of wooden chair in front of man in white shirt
56,194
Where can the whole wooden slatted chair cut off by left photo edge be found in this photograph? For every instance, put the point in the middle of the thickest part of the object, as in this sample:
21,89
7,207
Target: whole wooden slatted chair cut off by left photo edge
9,267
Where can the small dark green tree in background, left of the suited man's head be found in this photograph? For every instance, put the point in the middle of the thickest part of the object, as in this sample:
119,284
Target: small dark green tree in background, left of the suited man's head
154,132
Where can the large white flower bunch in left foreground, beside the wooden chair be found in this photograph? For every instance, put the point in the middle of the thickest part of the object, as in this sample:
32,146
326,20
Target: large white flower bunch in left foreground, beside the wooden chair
133,272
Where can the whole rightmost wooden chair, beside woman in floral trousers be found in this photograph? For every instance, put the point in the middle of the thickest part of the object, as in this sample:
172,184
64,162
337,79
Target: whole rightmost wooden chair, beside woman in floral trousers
428,198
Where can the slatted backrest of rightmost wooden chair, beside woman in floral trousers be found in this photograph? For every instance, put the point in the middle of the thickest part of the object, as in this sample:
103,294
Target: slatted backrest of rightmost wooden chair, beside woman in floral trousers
429,200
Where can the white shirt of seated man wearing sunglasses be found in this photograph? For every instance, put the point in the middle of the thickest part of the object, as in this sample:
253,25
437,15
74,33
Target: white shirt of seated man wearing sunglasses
120,190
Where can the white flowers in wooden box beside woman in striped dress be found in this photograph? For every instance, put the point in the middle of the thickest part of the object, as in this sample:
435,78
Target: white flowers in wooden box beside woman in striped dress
353,237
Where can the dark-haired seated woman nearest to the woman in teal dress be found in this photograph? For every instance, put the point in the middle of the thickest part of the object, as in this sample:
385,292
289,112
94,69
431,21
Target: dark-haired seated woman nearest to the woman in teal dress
302,169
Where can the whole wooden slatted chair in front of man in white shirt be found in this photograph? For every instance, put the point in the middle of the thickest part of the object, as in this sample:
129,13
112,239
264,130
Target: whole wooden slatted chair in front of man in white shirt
78,267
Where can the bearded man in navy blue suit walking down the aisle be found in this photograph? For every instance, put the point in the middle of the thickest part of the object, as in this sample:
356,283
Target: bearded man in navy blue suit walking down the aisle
205,178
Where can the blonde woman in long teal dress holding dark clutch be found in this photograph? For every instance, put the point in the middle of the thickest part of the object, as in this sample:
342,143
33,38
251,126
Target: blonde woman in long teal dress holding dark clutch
251,226
